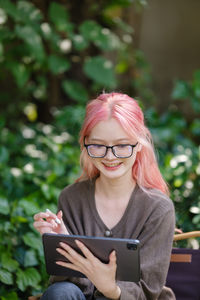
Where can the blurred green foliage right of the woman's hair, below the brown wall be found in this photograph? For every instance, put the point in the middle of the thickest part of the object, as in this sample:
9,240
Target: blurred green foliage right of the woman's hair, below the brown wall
177,140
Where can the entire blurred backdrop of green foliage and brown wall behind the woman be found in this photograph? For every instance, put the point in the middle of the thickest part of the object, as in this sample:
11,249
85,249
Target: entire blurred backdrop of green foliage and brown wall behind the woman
54,57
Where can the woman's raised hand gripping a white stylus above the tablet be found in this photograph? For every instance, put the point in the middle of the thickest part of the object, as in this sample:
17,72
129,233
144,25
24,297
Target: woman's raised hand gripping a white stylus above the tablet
48,222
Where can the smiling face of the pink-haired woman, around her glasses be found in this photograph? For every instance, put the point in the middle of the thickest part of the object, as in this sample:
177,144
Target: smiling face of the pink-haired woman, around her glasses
111,133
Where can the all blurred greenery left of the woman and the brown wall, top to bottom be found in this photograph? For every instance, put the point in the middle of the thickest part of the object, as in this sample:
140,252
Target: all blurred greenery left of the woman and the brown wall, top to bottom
51,55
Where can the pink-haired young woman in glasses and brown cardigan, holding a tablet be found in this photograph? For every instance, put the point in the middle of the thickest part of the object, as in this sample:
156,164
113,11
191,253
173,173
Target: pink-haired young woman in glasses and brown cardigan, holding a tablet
120,194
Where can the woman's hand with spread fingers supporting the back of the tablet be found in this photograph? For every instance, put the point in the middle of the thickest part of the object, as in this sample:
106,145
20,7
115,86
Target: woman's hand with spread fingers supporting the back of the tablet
100,274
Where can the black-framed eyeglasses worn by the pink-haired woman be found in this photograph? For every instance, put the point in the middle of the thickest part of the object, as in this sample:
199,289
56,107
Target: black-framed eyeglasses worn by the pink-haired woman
120,151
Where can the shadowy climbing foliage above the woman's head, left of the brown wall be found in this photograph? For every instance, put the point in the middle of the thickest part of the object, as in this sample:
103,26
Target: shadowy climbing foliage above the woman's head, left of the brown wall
43,45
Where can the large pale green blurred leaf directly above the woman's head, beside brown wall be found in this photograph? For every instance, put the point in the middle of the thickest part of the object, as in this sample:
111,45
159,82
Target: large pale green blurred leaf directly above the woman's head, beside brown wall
100,70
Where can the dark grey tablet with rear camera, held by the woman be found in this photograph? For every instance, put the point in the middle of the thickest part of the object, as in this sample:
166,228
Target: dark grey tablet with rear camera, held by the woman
127,252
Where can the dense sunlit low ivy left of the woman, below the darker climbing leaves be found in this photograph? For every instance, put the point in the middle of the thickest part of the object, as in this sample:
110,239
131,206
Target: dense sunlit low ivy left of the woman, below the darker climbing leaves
36,163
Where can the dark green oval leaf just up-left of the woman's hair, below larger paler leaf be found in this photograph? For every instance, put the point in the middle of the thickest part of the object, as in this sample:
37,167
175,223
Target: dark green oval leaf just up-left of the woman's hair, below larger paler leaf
75,90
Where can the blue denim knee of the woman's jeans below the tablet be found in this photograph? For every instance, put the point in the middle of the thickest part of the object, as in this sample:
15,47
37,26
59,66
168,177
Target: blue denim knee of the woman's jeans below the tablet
63,291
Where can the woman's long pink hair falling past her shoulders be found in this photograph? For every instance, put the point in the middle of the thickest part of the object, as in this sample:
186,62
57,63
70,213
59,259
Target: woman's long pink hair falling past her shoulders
127,112
